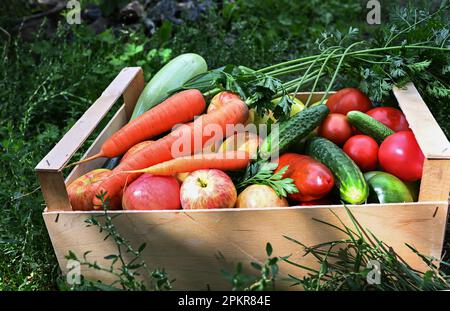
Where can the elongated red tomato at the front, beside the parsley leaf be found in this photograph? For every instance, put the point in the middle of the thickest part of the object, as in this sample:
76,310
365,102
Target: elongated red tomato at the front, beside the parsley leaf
312,179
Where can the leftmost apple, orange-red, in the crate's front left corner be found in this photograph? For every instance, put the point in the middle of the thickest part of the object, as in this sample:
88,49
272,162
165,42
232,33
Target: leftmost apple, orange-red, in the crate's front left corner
82,190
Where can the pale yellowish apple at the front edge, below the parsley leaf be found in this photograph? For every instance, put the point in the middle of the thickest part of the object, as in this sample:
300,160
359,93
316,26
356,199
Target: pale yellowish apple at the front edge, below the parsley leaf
256,196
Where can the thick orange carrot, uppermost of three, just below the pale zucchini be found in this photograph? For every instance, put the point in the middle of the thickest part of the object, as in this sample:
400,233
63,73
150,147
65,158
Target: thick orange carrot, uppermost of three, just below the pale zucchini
179,108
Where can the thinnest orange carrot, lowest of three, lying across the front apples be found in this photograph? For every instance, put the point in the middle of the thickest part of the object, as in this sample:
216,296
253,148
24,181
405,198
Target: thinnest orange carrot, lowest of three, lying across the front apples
227,161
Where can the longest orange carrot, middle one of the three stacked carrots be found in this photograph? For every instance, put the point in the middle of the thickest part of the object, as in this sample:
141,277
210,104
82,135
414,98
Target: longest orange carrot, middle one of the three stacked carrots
161,150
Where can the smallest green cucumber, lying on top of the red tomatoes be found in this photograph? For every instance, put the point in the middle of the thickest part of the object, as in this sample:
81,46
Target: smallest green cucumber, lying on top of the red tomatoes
369,125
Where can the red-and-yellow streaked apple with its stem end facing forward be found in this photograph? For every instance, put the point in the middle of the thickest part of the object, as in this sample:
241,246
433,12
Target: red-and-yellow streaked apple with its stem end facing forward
207,189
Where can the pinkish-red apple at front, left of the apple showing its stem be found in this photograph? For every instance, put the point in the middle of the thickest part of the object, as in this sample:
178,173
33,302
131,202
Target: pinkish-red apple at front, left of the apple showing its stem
151,192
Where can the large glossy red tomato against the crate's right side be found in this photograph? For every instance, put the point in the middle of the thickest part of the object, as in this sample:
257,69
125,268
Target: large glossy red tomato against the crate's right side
401,156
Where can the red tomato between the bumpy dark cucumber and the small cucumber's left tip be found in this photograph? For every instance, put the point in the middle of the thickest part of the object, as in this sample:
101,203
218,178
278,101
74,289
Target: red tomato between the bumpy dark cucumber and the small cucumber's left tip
336,128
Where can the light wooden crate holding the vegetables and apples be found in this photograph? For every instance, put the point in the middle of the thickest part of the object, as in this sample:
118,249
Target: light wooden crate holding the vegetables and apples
186,243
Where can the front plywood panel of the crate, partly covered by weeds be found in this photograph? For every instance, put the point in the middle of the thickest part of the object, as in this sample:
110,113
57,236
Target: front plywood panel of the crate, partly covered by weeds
186,243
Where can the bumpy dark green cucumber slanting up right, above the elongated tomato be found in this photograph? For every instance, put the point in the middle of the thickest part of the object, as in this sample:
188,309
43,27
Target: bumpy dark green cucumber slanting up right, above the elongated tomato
292,130
